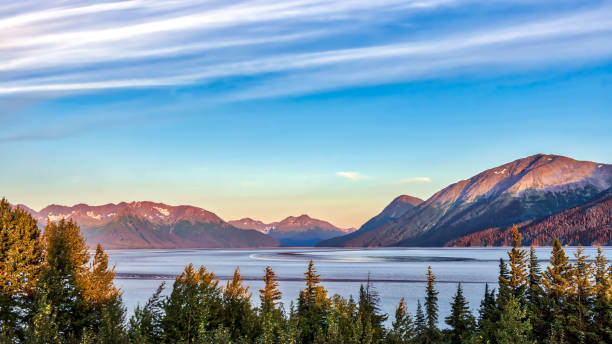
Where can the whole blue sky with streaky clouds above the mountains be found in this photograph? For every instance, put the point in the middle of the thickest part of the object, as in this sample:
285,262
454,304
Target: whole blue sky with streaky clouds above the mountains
266,109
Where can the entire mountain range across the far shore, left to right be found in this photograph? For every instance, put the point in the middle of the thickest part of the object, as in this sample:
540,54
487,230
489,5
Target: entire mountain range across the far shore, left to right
546,196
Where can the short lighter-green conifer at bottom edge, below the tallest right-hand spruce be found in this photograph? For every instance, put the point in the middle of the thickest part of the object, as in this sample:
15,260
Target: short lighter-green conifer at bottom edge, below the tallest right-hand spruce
513,328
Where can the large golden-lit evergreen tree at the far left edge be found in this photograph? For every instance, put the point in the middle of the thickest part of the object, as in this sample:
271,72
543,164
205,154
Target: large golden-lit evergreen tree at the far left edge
20,265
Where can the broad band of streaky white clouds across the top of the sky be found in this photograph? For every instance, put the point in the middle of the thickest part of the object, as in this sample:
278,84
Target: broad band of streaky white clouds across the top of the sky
290,47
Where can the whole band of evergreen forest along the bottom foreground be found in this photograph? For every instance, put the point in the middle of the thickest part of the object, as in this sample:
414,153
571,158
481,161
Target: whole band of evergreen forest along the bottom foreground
52,290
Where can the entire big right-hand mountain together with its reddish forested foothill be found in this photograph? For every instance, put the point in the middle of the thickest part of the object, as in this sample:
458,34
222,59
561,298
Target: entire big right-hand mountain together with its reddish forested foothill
536,192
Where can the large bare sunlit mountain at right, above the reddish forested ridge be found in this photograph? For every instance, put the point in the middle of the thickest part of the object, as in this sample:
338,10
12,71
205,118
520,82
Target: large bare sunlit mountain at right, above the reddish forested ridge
519,191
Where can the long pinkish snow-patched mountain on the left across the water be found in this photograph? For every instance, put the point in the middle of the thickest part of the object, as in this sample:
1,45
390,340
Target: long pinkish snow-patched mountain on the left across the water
153,225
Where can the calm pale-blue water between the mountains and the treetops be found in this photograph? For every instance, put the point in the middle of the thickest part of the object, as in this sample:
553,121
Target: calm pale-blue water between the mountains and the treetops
396,272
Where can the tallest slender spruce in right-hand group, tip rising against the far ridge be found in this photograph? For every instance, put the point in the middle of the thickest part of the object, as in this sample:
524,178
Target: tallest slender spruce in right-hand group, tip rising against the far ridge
517,282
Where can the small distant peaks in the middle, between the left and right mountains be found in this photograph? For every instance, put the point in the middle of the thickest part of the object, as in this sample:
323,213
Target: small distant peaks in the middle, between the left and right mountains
295,231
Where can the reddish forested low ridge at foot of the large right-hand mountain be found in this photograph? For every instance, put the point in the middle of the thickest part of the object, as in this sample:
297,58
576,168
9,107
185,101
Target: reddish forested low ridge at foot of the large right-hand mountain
586,224
